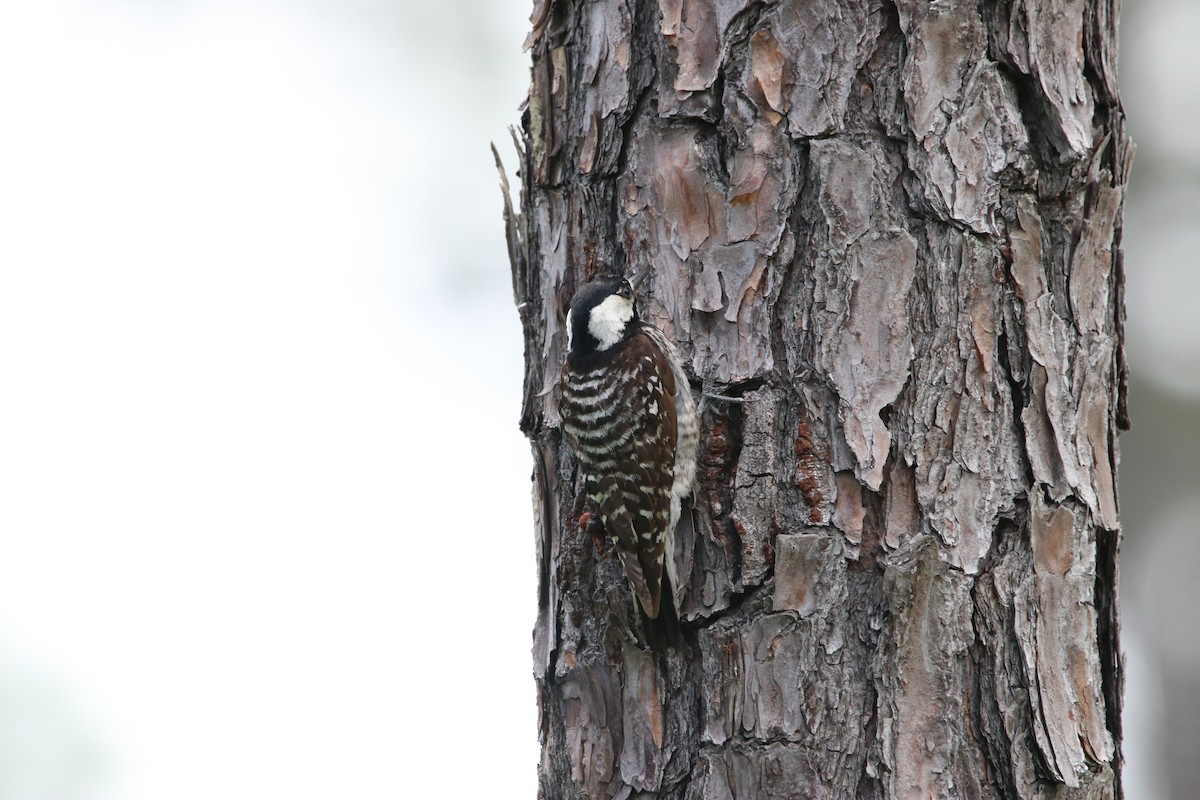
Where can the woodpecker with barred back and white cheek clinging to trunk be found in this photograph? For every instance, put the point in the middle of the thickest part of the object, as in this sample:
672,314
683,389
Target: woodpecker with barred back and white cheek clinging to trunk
629,417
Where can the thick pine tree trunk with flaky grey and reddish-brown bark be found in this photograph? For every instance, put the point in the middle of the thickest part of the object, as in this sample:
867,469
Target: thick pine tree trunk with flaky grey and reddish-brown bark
893,228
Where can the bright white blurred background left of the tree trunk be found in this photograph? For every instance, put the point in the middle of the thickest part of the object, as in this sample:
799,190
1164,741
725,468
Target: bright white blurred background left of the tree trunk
265,510
